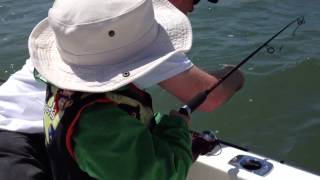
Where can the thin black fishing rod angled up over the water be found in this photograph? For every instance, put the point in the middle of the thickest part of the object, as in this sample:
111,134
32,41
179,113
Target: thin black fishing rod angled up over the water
196,101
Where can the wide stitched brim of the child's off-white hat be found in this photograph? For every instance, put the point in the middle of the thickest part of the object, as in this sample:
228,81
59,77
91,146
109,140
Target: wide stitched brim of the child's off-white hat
173,36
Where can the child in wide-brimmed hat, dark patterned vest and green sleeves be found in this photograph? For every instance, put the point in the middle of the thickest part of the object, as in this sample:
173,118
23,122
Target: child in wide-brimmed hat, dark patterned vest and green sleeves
98,124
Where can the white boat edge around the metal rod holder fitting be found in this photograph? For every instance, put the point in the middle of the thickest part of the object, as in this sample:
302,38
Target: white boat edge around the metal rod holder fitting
217,167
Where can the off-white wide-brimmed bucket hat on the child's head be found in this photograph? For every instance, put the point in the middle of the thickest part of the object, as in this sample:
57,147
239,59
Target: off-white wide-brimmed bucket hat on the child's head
101,45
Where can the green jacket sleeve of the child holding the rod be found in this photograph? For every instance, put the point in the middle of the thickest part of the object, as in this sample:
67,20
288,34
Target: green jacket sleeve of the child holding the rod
110,144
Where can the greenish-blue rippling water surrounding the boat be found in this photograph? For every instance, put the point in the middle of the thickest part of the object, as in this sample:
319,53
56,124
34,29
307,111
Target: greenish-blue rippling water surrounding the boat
277,113
